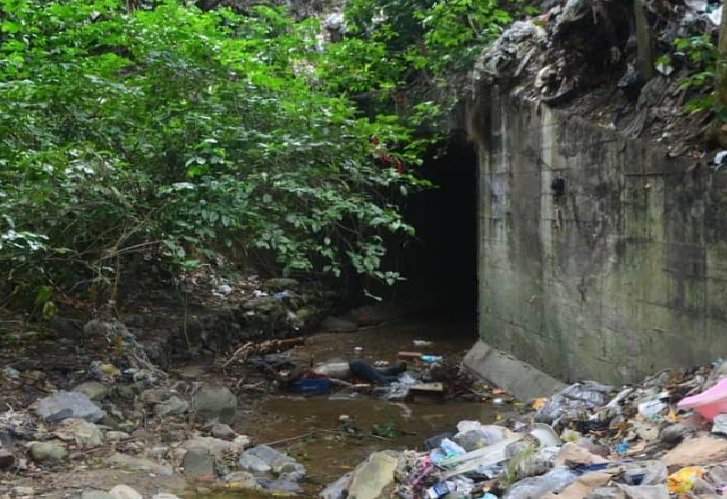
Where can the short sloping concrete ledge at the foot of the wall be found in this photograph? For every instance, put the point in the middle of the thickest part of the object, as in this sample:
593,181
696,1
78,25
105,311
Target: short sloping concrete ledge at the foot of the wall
518,378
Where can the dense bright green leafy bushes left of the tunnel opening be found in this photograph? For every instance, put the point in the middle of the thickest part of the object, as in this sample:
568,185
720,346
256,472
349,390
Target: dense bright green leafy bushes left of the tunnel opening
178,133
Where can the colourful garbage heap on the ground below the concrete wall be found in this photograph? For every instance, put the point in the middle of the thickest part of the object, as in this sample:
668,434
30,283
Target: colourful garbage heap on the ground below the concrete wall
664,438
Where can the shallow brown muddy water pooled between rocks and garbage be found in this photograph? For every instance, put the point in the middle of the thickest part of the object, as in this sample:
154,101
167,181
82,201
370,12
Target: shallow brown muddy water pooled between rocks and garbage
330,453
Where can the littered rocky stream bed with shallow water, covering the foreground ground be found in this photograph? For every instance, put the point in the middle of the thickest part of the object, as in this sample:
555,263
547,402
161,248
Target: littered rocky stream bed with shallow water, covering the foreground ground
88,411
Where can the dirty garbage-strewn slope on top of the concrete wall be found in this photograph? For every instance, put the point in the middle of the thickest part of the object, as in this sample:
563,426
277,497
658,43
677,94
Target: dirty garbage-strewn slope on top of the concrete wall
578,48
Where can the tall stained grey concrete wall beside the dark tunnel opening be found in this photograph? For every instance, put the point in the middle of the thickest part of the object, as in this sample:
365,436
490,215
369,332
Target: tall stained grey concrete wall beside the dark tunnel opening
623,274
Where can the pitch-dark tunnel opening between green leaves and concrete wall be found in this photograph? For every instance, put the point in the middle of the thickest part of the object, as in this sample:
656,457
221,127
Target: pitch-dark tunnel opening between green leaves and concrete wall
441,265
